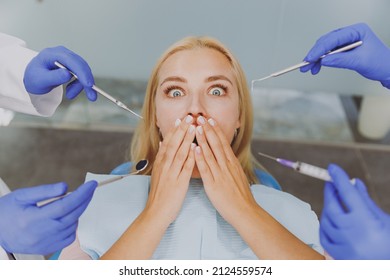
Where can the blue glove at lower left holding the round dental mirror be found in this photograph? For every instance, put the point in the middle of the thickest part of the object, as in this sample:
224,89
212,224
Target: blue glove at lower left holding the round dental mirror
26,228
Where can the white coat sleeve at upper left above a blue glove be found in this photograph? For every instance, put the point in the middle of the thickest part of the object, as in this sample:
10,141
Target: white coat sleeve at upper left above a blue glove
14,57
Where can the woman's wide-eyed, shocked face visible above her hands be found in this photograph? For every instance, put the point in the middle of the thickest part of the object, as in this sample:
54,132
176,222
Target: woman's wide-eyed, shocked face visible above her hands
197,82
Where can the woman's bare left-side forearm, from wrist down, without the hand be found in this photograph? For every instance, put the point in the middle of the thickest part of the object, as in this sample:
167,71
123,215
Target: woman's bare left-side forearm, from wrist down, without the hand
140,240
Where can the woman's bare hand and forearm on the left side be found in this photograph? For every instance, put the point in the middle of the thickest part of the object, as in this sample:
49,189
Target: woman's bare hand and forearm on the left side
170,180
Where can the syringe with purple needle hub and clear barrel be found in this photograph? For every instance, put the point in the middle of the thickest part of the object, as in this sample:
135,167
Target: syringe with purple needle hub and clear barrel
303,168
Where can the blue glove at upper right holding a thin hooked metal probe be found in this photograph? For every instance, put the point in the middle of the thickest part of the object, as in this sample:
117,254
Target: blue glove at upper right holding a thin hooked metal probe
371,59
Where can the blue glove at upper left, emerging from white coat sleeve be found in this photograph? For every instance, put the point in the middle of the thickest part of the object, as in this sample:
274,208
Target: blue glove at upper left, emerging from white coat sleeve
42,75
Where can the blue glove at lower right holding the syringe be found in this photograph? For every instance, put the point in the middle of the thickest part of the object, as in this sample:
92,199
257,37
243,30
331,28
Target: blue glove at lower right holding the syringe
352,226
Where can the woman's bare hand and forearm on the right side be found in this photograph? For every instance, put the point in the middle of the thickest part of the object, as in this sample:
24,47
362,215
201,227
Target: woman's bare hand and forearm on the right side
228,190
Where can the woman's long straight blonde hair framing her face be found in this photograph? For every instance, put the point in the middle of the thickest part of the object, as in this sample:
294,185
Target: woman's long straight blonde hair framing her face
146,138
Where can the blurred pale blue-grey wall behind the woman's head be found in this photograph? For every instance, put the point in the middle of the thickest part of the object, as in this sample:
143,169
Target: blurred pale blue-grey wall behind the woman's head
123,38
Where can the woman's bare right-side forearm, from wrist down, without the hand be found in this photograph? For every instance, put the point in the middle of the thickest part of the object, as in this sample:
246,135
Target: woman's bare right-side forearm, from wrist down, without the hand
268,239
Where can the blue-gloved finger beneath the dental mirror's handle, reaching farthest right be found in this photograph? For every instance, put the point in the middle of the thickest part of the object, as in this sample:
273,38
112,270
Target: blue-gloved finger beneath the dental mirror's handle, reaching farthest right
69,203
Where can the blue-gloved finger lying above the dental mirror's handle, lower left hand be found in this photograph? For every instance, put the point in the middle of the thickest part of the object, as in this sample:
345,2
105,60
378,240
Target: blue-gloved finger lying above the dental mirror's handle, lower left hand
36,194
